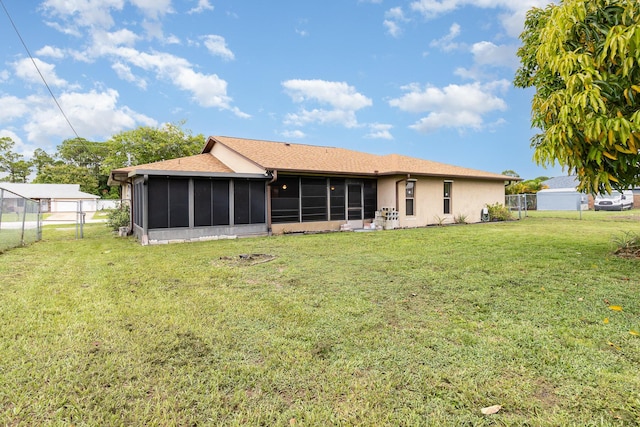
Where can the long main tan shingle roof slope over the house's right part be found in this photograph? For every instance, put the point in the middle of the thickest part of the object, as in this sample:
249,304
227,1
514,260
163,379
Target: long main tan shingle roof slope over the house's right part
284,156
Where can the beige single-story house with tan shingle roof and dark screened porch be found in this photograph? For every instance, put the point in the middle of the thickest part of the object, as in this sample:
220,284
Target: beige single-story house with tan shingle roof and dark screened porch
251,187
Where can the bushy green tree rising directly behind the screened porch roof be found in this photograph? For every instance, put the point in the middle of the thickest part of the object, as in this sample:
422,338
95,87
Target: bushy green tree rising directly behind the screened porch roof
147,145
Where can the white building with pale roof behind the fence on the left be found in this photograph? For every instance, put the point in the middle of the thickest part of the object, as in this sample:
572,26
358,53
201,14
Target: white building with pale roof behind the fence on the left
52,197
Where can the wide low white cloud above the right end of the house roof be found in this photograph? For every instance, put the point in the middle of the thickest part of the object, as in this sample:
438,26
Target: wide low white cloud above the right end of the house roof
454,106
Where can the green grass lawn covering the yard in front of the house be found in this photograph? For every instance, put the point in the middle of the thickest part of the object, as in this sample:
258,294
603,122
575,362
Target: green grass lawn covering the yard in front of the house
400,327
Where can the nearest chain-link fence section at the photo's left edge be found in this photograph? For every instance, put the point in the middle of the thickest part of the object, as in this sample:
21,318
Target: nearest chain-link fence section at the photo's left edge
20,220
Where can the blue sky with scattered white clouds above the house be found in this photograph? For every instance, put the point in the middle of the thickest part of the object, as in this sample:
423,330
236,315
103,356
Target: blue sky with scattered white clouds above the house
424,78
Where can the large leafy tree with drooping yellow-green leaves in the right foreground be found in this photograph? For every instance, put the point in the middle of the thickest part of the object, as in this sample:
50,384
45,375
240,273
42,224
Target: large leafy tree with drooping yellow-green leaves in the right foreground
583,59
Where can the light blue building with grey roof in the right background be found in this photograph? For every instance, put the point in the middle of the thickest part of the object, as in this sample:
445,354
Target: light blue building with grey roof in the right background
561,194
